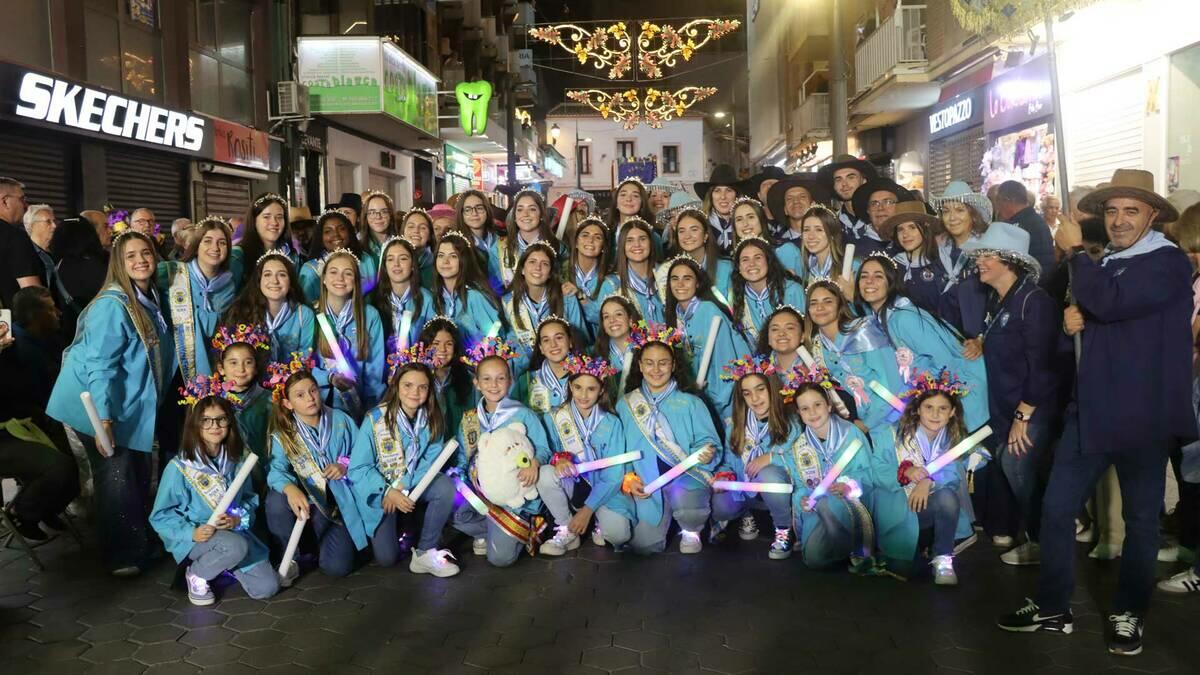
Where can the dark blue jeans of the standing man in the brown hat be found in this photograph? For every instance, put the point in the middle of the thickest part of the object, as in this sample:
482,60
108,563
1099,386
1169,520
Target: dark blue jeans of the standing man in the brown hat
1073,479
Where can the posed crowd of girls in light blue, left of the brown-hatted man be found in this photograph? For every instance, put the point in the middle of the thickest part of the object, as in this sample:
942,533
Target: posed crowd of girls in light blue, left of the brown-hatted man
761,367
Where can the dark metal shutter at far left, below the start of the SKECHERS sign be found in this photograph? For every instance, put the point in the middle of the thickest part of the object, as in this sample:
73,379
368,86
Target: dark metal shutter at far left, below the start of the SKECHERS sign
46,168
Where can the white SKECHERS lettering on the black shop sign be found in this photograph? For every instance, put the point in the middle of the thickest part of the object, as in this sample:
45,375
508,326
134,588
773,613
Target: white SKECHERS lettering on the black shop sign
55,101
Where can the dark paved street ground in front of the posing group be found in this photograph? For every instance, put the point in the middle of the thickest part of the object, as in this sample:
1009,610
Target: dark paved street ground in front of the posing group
728,611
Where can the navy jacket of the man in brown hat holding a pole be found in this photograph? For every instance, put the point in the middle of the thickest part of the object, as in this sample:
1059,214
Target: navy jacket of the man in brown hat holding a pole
1135,383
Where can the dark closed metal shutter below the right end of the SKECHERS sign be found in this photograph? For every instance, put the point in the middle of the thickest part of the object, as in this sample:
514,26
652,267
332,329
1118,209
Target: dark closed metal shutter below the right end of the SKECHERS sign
153,181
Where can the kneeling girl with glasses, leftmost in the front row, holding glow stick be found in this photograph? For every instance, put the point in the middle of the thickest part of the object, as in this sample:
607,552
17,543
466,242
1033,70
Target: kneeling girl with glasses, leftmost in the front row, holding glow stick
191,488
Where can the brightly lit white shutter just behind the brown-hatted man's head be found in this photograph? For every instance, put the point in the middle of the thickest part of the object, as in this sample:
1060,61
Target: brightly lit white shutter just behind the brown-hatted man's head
1105,129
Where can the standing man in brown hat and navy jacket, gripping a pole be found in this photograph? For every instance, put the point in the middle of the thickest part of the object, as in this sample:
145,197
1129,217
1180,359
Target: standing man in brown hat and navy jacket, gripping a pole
1132,401
